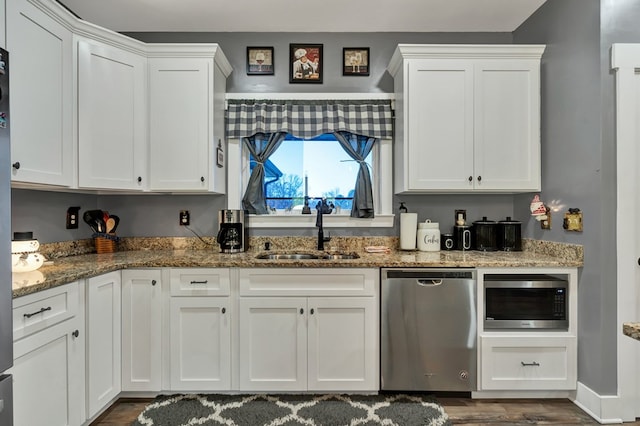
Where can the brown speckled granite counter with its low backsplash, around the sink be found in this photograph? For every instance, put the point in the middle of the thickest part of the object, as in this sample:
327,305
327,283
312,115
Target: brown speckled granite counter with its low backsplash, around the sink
192,252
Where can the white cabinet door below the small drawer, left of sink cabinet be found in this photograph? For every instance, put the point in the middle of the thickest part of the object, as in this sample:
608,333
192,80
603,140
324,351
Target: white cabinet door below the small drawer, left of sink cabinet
200,343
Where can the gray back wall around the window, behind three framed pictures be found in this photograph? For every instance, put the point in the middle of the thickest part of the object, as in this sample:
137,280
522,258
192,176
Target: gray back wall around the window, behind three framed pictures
157,215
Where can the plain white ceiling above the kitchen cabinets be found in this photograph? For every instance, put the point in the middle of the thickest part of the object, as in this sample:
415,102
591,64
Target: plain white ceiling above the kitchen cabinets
318,16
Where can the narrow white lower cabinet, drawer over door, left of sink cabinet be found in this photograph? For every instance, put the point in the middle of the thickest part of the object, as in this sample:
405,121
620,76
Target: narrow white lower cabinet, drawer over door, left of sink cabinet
200,329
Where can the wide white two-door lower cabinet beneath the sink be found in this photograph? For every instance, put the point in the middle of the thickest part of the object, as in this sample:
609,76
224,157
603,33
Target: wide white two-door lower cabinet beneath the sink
308,330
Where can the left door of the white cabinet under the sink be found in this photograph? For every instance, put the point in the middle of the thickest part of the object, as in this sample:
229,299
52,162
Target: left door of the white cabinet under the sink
273,344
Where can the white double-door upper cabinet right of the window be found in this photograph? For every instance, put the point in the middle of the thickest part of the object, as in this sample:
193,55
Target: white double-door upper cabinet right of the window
468,118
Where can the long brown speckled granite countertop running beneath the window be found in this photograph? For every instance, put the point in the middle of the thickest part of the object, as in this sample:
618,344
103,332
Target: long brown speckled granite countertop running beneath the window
63,270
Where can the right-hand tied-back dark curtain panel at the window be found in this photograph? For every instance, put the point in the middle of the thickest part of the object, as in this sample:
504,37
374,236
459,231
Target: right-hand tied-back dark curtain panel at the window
358,147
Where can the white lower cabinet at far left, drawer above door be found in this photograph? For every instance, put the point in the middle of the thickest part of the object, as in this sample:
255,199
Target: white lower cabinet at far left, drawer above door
48,366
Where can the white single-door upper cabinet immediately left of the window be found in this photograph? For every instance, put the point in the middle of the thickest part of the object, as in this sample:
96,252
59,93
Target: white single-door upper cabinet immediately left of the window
186,120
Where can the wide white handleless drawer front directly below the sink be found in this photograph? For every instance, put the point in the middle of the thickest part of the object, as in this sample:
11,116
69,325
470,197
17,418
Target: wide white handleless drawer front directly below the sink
308,282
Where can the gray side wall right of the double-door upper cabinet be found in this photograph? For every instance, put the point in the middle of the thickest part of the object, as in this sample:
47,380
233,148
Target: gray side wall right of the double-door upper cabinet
579,170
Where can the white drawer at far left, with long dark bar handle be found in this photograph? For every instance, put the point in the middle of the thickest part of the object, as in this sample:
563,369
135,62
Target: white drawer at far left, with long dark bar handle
43,309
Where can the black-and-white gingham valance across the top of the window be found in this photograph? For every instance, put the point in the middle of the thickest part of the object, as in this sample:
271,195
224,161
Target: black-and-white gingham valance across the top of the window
306,119
